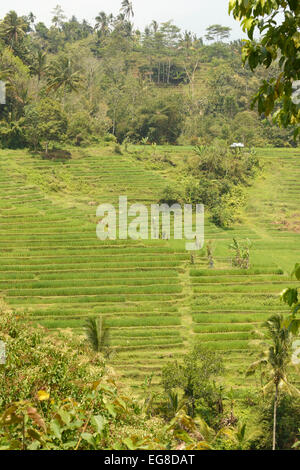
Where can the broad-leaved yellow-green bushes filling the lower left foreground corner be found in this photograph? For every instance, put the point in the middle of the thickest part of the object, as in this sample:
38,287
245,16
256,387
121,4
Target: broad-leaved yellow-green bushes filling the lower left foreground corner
56,394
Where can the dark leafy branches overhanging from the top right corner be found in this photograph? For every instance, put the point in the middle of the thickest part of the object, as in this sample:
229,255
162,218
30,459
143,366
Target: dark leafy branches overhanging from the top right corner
277,22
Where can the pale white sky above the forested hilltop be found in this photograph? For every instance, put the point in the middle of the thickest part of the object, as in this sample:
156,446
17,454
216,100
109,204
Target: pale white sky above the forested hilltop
193,15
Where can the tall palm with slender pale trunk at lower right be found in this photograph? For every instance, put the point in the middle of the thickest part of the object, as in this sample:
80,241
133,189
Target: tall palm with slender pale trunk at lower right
276,357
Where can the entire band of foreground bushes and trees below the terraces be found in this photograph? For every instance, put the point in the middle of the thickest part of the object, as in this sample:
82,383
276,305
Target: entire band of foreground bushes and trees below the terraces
56,393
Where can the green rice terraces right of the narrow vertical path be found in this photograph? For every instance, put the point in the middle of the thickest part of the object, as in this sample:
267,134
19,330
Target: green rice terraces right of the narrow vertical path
228,303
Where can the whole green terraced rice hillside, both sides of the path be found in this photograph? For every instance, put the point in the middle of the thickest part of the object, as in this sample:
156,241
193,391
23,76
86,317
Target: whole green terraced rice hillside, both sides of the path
53,266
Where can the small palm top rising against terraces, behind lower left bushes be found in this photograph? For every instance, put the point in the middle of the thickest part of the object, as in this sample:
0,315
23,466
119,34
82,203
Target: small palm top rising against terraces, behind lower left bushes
97,334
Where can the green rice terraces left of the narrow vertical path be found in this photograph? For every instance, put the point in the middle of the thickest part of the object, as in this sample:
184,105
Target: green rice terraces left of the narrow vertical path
53,265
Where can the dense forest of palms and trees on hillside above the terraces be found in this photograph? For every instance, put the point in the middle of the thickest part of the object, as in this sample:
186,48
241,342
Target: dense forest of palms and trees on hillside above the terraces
78,84
